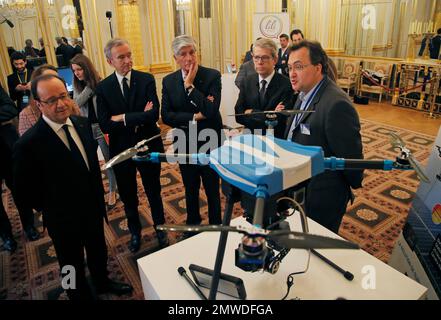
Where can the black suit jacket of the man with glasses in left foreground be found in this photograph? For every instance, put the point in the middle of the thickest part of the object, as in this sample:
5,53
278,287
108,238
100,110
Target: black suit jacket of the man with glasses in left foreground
46,177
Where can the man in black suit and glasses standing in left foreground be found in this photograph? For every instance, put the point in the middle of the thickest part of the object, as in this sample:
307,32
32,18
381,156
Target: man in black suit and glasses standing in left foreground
56,170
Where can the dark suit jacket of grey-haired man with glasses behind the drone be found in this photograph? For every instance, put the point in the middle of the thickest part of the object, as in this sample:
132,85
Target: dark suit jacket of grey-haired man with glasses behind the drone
279,90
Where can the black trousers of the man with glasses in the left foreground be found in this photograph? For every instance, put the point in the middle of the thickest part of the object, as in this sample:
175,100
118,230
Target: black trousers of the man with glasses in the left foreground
69,245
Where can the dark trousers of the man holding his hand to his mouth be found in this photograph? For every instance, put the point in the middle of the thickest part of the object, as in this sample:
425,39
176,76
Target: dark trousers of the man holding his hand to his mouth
191,176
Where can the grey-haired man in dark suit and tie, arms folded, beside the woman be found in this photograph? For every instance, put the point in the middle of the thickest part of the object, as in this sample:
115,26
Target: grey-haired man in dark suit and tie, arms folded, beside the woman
128,109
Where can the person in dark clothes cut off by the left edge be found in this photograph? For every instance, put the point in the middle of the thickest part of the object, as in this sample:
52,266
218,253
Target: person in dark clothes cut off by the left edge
8,137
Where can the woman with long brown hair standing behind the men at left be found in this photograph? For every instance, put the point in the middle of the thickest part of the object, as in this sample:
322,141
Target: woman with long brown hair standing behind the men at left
85,81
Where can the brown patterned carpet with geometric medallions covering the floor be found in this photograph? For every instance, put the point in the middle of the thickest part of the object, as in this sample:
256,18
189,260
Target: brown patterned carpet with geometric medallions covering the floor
374,221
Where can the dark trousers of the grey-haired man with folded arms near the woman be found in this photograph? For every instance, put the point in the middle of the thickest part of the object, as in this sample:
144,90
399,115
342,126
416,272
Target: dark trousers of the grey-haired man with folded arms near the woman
128,189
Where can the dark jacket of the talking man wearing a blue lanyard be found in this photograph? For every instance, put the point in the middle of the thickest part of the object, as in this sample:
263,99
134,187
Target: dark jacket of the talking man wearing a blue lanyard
335,127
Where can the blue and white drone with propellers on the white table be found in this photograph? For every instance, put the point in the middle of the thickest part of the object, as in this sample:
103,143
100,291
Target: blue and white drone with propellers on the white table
264,166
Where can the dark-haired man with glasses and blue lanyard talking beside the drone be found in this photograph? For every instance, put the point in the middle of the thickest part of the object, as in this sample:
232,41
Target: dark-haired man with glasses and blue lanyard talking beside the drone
334,126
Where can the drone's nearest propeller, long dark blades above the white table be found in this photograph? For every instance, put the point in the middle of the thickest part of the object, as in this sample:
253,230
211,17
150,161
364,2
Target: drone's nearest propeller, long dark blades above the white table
286,238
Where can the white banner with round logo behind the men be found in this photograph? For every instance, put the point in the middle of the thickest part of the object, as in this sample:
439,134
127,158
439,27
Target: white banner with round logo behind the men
270,25
